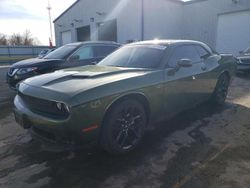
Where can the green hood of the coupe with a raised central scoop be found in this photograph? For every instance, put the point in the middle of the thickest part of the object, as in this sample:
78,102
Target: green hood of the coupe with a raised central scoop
71,83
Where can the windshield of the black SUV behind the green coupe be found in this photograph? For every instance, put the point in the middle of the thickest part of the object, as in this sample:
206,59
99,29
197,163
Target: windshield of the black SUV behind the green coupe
61,52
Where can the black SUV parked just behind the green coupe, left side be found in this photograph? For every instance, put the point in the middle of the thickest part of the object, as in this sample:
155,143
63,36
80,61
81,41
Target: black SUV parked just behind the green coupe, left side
70,55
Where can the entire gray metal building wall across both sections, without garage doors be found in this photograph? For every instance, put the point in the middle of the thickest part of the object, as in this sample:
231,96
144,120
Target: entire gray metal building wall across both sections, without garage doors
162,18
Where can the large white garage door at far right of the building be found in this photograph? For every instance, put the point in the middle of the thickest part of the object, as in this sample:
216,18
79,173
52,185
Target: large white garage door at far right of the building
233,32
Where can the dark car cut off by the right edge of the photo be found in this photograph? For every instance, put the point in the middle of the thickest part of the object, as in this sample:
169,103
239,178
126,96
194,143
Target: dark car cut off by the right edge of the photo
243,63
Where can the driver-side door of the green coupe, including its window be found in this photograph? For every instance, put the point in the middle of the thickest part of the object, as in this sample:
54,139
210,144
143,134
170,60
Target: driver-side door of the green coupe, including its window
181,87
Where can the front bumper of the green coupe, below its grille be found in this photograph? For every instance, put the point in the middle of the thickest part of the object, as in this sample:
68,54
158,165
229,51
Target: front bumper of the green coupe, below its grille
56,134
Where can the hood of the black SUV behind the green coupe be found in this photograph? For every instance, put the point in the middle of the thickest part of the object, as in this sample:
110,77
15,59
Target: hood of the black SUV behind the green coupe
32,62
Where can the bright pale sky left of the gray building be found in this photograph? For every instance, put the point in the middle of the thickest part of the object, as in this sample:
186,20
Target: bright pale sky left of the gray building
18,15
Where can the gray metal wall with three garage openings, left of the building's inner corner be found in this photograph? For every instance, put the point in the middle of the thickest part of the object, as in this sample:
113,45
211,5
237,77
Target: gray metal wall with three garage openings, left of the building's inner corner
129,19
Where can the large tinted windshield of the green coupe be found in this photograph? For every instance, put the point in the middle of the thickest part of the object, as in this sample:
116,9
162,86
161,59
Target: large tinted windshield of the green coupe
136,56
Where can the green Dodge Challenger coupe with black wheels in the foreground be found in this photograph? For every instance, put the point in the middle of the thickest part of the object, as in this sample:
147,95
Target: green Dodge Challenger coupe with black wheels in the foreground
113,102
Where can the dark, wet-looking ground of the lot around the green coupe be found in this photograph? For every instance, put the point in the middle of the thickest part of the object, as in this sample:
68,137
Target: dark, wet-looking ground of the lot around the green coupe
204,147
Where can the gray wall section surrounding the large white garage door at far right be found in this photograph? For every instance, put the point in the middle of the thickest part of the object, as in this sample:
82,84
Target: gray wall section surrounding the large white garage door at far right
201,18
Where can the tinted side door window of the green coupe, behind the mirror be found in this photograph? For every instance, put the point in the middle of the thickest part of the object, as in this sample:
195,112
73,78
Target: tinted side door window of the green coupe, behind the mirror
184,52
